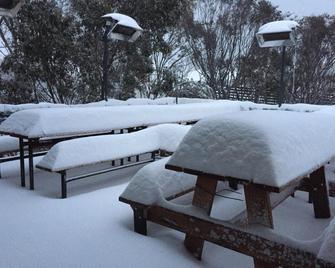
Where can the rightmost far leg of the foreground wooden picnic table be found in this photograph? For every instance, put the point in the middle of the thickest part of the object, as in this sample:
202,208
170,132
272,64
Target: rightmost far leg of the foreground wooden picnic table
319,194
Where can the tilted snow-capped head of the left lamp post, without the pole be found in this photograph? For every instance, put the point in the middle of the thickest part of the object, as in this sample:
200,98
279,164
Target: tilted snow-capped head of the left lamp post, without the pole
122,27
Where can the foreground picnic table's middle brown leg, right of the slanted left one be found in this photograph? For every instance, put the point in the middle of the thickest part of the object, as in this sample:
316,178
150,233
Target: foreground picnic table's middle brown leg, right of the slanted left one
258,205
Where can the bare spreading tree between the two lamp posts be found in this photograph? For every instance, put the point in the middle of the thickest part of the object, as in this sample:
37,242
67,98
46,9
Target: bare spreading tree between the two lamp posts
220,35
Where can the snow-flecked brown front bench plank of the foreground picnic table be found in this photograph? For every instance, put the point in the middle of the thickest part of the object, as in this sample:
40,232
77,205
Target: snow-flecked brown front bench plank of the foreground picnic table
233,238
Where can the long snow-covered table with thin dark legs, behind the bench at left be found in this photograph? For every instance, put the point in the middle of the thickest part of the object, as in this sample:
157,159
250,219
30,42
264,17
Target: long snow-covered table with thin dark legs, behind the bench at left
42,128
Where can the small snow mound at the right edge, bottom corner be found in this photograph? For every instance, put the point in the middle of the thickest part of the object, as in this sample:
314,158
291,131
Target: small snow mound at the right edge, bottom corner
327,249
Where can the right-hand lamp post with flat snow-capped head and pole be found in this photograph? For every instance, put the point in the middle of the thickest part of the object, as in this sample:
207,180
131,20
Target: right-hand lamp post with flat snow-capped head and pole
278,34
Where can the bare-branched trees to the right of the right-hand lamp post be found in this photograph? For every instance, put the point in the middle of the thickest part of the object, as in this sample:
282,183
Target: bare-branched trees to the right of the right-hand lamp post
315,73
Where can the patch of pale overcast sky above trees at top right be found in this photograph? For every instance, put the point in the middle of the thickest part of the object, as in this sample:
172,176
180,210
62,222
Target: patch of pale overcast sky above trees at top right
306,7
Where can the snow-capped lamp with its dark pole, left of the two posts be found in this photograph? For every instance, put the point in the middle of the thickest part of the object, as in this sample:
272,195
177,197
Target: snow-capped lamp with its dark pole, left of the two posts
117,27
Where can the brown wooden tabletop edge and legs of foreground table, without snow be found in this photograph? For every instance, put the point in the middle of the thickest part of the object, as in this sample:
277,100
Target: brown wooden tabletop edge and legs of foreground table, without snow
258,202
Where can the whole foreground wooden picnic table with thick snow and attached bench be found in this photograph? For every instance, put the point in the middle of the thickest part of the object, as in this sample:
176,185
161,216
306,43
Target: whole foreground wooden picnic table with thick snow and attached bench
271,154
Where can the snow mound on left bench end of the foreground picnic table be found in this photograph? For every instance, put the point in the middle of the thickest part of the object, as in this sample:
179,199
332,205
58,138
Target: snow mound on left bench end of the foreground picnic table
153,182
